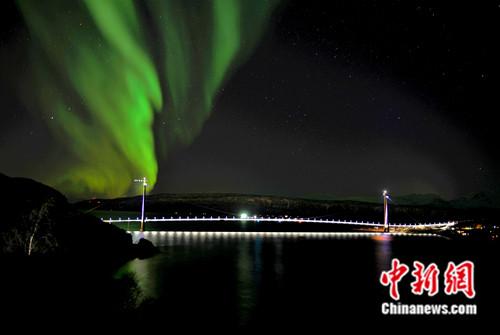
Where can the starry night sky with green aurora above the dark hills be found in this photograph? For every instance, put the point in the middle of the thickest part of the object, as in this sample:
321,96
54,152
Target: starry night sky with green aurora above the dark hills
313,100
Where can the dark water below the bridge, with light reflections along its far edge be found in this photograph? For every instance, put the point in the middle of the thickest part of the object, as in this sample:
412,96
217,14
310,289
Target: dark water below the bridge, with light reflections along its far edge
248,282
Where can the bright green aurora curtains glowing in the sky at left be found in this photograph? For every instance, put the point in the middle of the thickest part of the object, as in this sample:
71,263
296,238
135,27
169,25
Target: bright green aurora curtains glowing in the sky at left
120,81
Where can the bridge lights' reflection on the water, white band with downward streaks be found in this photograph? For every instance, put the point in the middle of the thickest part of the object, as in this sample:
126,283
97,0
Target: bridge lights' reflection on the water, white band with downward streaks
249,253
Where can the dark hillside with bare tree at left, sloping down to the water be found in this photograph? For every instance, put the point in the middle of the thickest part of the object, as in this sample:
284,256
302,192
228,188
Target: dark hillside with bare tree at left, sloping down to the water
38,220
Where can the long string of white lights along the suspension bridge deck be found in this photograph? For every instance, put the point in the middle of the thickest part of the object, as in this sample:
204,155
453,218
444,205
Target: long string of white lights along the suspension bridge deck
446,224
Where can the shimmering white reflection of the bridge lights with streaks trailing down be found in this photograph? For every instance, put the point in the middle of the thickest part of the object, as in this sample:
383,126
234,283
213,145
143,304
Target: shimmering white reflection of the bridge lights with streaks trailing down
248,261
